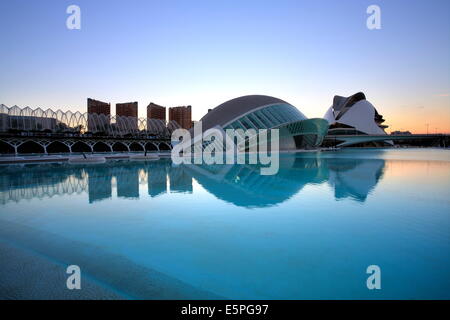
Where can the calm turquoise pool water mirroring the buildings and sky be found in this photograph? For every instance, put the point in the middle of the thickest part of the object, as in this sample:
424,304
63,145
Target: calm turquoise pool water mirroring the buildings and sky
155,230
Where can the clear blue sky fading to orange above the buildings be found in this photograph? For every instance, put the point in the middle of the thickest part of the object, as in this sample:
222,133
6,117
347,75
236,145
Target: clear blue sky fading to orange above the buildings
203,53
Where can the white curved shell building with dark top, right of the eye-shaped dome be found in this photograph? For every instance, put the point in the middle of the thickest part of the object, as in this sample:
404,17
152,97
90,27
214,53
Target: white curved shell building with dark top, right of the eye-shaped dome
354,112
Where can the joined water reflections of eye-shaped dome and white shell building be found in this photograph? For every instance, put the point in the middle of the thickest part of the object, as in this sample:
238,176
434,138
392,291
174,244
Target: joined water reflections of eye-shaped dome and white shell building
243,185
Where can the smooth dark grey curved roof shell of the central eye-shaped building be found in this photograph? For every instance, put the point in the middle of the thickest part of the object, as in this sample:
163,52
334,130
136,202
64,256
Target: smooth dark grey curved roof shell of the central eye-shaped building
231,109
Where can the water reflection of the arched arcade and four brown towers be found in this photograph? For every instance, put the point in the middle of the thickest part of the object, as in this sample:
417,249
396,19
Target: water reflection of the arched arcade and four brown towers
47,180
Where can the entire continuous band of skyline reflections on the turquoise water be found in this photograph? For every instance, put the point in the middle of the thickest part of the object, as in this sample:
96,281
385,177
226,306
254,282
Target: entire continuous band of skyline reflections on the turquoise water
241,185
